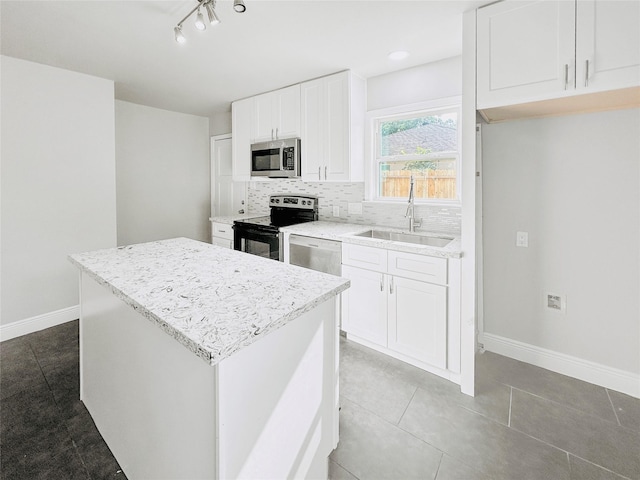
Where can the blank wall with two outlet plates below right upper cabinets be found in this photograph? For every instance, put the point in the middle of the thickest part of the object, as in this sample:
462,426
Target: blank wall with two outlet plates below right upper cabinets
573,183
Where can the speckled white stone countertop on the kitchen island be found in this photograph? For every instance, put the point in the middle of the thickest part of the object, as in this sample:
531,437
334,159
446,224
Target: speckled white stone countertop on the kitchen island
213,300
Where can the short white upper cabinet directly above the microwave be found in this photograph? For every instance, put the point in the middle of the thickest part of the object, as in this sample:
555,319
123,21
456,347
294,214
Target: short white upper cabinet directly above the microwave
276,114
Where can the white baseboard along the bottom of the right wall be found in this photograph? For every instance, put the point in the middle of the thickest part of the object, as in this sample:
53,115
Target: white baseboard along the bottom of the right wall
596,373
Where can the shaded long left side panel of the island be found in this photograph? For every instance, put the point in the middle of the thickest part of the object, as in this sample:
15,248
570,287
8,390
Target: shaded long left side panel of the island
152,400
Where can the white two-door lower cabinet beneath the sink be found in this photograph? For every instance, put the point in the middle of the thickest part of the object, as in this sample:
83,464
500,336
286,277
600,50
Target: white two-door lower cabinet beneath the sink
400,313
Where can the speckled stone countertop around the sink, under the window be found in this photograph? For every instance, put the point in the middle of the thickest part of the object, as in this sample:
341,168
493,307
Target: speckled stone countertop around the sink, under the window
345,232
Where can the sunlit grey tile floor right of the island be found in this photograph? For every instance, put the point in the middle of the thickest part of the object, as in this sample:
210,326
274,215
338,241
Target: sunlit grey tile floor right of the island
525,422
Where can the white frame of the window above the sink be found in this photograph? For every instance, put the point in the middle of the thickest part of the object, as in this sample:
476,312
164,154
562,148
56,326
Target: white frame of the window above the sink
433,107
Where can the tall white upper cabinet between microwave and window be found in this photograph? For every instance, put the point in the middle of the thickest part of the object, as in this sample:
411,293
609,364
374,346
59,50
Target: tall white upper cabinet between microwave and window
332,128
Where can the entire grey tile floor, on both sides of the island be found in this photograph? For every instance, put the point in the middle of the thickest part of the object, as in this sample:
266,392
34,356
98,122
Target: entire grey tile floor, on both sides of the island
397,422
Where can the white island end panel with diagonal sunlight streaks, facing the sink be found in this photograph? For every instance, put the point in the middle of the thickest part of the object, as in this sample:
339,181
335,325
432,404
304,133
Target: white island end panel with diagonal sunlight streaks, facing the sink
278,410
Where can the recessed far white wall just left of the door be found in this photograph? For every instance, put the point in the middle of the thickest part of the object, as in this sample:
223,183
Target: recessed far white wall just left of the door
163,182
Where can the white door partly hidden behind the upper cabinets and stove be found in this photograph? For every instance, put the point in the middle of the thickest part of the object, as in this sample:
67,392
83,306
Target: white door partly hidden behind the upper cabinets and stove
227,197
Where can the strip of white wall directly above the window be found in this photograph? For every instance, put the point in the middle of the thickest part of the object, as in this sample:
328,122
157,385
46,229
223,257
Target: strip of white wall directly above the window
430,81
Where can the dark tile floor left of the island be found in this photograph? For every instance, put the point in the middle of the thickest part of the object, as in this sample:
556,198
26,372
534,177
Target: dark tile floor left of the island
45,431
